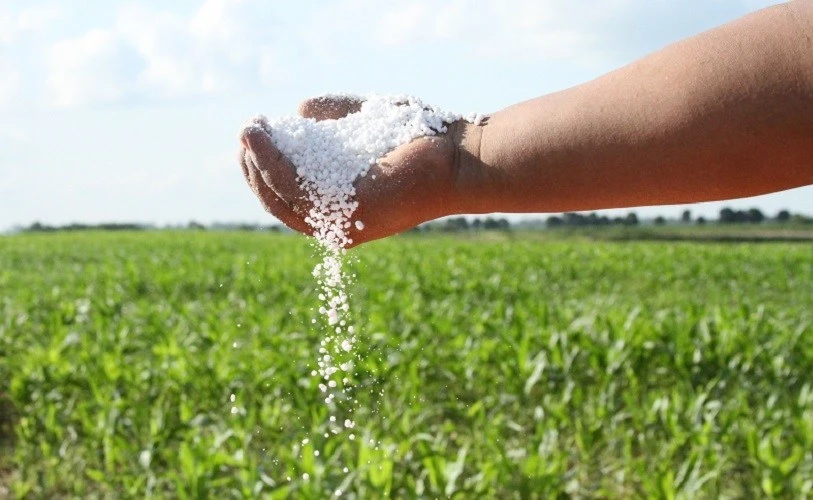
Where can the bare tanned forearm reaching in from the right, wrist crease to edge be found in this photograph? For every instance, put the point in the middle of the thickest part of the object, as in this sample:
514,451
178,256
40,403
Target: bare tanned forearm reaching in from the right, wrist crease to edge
725,114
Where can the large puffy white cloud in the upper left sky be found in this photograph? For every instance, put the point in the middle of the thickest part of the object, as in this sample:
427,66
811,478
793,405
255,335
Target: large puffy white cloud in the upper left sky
223,46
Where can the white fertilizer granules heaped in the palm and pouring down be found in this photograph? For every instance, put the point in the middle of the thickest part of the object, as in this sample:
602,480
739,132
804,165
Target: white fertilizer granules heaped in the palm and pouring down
329,156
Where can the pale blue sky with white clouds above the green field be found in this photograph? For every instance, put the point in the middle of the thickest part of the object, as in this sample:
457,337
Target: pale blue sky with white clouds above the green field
130,111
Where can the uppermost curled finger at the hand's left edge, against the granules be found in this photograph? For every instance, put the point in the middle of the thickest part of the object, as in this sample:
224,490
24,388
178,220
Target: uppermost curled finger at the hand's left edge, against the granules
277,172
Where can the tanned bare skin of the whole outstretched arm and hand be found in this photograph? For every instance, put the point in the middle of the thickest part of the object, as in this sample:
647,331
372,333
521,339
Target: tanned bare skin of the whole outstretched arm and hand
721,115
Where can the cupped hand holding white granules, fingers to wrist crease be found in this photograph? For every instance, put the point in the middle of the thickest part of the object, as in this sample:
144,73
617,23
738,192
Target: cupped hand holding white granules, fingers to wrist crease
414,183
